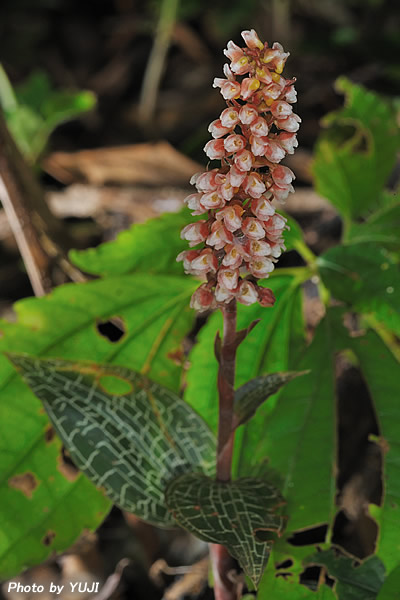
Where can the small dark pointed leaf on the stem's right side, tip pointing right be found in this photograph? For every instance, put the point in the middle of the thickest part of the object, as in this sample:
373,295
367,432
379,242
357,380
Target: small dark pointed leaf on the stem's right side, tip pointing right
250,396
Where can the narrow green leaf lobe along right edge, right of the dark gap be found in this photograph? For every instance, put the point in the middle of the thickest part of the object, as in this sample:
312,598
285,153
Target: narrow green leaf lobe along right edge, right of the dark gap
381,372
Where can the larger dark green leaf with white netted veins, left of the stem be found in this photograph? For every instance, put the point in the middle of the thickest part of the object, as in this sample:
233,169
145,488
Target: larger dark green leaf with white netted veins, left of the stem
129,442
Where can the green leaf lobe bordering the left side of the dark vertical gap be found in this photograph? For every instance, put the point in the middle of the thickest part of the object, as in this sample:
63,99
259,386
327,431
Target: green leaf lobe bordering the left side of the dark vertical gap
298,436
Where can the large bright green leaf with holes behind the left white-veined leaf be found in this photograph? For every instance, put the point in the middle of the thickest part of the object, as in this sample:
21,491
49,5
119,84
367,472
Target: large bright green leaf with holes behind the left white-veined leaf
43,505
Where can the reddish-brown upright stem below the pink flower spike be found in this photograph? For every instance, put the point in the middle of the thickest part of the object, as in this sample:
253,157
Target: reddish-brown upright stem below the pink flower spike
222,562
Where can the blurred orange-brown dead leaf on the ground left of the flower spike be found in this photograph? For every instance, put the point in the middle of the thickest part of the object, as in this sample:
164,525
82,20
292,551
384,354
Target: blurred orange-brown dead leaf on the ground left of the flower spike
145,164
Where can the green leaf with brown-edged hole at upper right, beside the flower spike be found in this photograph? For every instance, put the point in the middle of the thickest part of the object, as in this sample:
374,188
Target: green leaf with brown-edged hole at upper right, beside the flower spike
355,158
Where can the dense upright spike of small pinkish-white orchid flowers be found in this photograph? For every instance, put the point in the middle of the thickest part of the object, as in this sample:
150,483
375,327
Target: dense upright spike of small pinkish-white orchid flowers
242,236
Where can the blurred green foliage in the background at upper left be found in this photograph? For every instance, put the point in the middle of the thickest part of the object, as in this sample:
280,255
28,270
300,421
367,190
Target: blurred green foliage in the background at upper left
35,109
